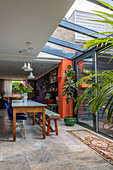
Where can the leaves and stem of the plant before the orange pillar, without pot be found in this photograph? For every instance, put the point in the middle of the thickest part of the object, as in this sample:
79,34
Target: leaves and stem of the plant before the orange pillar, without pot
69,86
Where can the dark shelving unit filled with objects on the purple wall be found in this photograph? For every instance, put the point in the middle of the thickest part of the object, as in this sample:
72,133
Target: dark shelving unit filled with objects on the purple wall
48,84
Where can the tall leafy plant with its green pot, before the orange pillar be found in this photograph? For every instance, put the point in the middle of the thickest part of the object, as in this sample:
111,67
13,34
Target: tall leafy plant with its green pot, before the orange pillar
69,88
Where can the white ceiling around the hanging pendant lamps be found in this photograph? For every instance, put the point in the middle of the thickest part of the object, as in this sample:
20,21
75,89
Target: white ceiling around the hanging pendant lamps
27,20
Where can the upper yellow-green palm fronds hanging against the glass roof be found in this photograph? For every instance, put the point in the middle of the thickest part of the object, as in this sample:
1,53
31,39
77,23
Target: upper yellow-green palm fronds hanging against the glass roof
107,40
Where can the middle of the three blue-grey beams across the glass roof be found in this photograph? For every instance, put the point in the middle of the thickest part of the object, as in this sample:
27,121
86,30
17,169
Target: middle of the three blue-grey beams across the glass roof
66,44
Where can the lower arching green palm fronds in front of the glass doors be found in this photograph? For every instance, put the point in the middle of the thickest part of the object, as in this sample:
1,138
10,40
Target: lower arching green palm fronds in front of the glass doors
98,94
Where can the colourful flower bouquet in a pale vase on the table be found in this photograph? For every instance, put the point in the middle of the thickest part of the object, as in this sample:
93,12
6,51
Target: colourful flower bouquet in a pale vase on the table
24,89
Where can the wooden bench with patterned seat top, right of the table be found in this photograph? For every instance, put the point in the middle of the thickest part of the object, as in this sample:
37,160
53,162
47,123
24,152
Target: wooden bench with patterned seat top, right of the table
50,115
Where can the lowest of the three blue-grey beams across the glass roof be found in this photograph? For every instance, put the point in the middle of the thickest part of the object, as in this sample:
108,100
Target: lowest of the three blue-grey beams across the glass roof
56,52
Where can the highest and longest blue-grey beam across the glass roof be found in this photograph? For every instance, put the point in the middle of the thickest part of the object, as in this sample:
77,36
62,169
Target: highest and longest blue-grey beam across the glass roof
80,29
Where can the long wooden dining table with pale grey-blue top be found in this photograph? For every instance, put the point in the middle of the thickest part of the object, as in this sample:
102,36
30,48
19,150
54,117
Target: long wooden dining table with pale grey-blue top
29,107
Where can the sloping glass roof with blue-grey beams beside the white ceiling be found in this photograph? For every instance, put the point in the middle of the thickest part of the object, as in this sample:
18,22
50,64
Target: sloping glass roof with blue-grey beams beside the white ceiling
66,40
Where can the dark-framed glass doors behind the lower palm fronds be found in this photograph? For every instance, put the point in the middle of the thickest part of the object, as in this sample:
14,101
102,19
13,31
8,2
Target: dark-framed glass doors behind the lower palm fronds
84,116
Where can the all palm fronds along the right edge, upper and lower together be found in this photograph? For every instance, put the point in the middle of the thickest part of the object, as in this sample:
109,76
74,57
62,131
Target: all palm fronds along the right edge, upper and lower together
101,92
